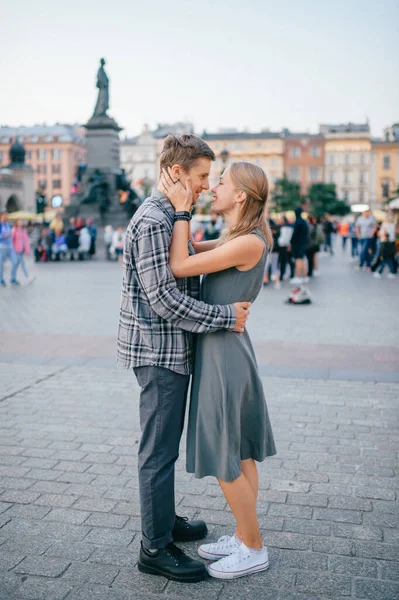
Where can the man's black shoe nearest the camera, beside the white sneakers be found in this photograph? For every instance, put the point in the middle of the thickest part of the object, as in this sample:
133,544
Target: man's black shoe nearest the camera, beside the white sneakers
172,563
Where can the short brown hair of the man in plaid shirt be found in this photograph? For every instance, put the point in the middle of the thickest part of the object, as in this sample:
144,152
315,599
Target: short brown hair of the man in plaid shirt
184,150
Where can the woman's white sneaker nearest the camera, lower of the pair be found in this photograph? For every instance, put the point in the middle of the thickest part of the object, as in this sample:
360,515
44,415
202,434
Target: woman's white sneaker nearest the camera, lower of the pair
242,562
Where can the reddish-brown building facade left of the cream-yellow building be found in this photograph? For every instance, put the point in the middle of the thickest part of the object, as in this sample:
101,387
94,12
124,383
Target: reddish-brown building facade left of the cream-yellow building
304,158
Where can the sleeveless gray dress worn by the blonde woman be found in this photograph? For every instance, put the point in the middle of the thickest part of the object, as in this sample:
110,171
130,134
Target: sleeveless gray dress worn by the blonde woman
228,417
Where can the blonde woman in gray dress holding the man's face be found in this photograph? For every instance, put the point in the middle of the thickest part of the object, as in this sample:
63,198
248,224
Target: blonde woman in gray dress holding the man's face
229,426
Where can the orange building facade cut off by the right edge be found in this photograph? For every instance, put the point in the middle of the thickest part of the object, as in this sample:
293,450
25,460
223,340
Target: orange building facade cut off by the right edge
385,167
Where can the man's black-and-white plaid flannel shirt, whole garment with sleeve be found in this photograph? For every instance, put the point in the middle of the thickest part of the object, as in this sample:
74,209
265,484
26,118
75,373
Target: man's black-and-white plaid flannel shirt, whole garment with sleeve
159,314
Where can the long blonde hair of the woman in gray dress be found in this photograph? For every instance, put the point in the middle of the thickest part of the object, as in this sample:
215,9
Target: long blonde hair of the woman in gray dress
252,180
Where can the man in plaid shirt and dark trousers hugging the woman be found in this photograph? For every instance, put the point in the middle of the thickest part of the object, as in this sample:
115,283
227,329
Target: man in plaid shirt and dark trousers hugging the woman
158,318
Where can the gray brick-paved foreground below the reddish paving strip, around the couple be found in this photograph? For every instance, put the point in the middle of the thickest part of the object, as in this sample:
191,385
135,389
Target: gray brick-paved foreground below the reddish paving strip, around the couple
69,513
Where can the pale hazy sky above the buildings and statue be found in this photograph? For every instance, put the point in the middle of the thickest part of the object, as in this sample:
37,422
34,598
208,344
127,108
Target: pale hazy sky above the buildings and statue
244,64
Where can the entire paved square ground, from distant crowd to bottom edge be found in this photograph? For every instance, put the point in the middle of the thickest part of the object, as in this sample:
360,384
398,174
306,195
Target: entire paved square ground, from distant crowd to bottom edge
328,501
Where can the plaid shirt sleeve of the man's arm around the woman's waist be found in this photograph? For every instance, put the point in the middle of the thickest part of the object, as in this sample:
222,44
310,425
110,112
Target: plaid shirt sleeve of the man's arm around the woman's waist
150,250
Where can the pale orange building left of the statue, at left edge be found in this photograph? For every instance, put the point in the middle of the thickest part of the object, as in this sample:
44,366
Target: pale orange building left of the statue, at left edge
53,152
